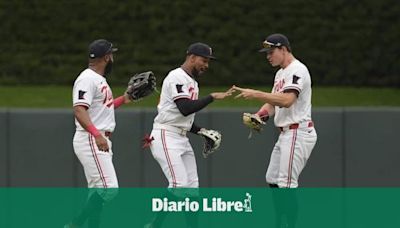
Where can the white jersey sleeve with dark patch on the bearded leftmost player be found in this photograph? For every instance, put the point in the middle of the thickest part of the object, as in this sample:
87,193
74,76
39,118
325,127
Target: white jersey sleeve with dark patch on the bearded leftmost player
83,92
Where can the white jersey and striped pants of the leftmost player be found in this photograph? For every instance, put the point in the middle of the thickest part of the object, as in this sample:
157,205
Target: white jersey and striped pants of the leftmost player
92,91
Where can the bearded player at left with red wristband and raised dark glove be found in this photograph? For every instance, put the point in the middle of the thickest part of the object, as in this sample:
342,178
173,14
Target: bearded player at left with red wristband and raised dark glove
94,106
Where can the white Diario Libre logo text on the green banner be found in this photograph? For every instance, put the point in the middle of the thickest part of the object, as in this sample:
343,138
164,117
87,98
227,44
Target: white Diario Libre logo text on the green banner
206,205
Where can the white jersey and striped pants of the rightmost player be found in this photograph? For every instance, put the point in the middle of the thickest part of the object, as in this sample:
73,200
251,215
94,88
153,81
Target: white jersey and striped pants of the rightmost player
298,136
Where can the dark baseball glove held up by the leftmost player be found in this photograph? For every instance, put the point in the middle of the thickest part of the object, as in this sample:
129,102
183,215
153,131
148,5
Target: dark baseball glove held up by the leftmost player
141,85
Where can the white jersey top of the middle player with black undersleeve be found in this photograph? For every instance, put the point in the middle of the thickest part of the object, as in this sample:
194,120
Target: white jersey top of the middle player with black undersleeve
178,84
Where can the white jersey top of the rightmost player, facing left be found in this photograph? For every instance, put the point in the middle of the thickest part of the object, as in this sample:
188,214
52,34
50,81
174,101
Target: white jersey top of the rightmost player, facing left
294,76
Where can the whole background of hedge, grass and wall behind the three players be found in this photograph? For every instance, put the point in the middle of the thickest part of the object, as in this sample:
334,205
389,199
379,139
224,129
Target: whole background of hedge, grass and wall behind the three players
350,47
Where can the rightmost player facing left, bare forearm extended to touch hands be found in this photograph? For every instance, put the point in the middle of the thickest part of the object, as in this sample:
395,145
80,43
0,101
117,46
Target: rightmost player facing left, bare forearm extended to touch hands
290,102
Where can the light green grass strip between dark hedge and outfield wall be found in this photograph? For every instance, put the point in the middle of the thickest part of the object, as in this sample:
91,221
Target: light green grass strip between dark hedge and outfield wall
60,97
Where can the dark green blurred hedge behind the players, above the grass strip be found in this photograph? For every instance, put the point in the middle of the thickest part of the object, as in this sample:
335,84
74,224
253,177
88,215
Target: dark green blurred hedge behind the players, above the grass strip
343,42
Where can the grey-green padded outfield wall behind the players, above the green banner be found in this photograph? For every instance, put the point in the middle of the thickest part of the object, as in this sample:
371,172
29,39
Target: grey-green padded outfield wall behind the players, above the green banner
357,147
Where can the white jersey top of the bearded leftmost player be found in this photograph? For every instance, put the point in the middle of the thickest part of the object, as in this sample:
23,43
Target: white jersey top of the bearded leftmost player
91,90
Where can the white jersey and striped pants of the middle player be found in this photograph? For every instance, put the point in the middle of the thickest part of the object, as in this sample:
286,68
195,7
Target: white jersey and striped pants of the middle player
171,148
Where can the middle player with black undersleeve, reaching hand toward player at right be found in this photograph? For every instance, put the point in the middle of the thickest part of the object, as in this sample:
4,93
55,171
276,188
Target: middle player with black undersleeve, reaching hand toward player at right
176,113
